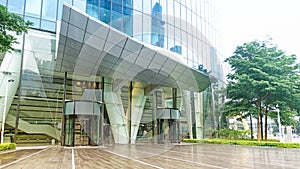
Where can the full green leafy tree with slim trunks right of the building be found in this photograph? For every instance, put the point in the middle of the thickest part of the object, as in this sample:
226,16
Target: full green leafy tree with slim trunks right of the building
263,76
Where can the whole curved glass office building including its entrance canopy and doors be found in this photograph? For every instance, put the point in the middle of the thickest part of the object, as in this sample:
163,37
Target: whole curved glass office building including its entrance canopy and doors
91,72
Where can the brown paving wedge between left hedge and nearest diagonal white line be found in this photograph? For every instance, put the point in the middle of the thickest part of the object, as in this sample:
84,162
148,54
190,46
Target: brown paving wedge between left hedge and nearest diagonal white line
11,156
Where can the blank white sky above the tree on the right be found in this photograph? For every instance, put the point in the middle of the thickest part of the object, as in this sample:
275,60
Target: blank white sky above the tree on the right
246,20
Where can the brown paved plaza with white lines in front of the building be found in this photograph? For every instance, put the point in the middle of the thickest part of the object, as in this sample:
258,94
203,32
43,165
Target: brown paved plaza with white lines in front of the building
153,156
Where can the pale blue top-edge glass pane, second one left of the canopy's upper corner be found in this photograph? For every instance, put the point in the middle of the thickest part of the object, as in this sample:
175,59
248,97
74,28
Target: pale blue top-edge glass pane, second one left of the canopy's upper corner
33,8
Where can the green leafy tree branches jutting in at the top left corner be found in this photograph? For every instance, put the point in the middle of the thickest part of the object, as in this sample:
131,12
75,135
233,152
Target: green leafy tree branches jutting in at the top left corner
10,23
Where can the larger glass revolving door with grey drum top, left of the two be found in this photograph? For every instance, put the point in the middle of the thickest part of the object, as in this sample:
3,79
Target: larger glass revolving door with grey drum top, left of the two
82,123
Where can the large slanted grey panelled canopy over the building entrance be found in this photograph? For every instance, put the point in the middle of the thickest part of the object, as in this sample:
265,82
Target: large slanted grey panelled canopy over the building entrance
90,47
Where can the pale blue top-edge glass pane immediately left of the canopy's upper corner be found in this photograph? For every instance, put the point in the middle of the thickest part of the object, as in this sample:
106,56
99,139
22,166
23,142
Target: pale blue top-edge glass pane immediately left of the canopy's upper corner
49,9
